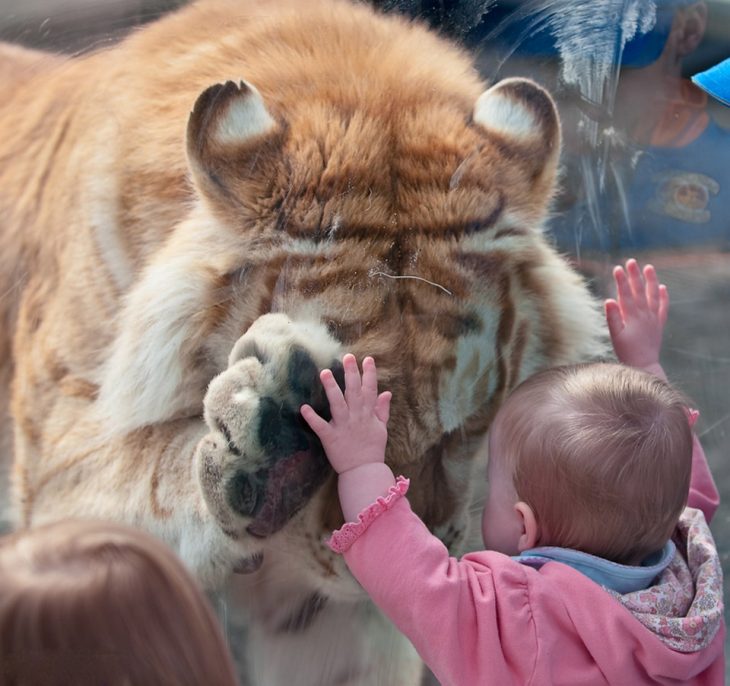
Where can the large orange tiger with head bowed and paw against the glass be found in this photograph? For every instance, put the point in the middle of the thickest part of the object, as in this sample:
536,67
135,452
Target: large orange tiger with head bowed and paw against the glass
197,220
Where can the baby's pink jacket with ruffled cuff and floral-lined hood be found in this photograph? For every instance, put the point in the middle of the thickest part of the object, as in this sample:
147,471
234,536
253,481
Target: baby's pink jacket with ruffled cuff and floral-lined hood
488,619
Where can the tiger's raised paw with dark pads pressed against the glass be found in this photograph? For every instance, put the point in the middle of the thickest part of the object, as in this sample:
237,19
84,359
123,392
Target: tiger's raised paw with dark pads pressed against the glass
260,463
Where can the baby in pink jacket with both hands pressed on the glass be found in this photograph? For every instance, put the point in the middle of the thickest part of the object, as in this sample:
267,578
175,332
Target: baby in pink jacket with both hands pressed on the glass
600,567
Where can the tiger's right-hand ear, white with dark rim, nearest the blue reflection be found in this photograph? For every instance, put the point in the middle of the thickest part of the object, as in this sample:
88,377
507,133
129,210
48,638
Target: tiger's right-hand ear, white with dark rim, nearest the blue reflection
521,117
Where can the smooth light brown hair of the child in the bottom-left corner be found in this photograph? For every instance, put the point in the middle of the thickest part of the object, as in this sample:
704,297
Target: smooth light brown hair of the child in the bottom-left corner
85,602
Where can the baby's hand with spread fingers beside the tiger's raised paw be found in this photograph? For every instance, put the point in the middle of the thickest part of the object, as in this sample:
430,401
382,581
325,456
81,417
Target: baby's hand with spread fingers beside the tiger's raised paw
358,432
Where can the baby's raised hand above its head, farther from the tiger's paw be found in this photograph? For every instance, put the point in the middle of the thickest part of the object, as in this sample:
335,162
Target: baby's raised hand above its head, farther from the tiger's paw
636,318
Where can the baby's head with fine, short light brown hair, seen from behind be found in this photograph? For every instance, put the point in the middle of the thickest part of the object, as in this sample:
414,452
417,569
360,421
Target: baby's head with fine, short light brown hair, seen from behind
597,456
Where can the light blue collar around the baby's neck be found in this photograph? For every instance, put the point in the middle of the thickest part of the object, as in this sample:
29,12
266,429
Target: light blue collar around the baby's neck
617,577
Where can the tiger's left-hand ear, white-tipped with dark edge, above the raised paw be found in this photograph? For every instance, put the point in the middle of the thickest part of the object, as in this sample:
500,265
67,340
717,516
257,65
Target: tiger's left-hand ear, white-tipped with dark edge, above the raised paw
231,138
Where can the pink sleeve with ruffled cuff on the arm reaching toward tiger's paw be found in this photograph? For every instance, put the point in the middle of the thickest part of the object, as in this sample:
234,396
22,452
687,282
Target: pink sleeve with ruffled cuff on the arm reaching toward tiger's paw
448,608
